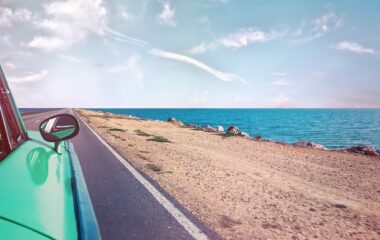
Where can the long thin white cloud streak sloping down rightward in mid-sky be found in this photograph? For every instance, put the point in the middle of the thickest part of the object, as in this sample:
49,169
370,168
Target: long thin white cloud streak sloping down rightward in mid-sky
226,77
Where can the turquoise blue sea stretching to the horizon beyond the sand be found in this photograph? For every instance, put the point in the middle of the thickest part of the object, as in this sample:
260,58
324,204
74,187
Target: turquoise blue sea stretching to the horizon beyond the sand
333,128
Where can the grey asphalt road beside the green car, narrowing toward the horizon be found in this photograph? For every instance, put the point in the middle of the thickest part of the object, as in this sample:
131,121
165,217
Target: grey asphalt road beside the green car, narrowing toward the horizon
124,207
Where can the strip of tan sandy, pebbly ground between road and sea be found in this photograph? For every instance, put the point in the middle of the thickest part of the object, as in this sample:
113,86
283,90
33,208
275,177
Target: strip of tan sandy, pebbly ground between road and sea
247,189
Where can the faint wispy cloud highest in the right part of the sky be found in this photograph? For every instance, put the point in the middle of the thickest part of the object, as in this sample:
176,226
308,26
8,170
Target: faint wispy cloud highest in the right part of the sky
317,28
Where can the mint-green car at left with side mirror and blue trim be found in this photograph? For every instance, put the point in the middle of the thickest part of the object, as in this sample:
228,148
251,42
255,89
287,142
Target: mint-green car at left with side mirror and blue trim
43,194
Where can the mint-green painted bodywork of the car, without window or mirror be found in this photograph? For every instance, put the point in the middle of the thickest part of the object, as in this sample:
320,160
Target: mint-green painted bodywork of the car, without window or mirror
35,191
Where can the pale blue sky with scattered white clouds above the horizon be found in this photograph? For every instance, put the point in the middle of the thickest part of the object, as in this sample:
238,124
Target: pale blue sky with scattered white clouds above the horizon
192,54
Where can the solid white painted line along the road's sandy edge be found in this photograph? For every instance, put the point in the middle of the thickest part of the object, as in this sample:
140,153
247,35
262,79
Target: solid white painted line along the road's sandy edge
189,226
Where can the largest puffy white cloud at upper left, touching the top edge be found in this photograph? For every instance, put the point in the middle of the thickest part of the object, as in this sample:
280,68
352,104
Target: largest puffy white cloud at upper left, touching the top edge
69,22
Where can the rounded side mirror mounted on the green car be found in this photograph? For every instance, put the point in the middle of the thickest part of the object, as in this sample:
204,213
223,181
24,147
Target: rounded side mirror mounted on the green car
59,128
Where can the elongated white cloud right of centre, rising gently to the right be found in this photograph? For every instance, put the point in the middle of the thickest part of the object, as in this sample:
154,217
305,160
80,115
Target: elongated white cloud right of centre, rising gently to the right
241,38
